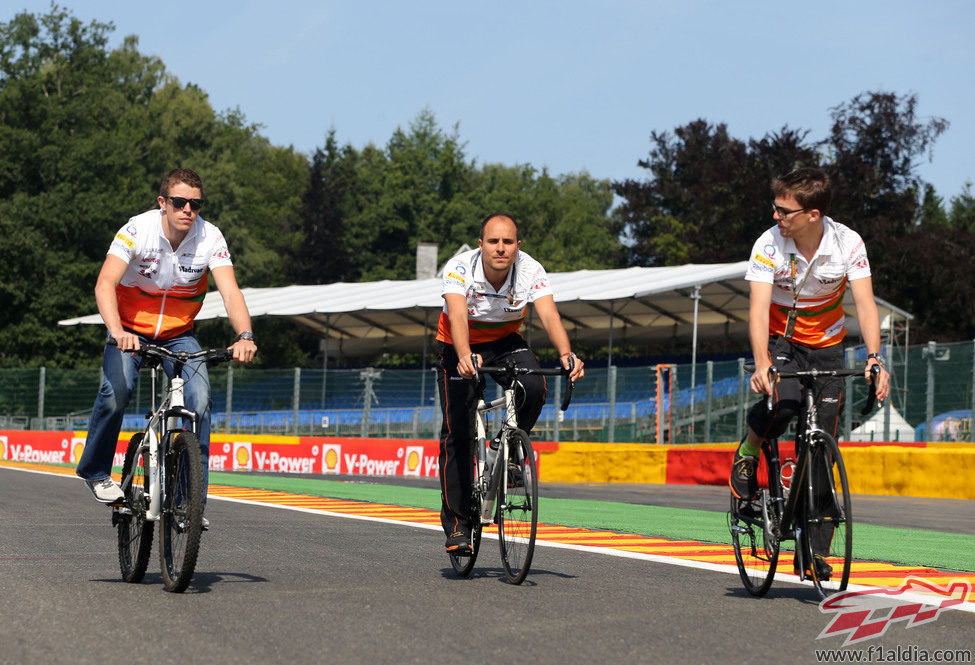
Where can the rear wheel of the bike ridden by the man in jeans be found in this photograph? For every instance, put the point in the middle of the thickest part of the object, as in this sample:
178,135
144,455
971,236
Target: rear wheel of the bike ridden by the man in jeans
134,531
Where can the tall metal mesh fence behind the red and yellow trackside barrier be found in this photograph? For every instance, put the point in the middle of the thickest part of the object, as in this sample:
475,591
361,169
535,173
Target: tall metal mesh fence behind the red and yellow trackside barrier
662,403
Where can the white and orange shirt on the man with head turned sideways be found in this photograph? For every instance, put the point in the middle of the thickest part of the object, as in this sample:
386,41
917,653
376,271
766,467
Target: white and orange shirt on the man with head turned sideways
841,257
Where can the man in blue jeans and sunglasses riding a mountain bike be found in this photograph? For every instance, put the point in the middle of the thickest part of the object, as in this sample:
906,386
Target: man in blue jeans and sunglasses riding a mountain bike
150,289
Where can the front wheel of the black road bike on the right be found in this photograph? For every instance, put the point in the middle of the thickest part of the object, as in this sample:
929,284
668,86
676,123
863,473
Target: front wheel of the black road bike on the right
830,510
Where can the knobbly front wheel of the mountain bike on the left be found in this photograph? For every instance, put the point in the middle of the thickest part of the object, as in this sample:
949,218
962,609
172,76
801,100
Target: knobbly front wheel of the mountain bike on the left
181,521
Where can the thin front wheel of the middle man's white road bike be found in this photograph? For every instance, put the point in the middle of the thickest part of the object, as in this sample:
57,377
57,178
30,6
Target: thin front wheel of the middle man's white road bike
518,508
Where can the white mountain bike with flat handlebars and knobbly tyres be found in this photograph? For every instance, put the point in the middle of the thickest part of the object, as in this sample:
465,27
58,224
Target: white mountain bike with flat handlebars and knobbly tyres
162,478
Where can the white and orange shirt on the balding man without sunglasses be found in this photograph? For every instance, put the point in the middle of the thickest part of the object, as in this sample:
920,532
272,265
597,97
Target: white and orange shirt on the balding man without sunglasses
492,314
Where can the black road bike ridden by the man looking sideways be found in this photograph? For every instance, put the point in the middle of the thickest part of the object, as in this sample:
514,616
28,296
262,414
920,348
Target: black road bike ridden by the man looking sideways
806,500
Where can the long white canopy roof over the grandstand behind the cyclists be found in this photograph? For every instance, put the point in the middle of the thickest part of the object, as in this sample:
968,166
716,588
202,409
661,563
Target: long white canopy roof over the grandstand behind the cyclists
647,305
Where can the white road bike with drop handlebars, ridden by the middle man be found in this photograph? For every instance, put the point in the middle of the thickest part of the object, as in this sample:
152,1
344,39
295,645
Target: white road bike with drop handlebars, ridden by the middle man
505,476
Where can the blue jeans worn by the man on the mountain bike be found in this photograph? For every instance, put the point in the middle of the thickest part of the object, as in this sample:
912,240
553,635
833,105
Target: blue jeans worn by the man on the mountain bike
121,371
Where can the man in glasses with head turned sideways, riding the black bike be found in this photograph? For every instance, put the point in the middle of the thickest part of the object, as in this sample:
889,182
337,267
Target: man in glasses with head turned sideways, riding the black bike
798,273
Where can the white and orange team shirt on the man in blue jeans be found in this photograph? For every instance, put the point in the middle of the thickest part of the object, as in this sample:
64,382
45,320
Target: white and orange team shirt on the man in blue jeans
162,290
